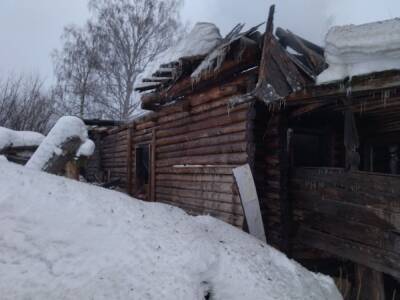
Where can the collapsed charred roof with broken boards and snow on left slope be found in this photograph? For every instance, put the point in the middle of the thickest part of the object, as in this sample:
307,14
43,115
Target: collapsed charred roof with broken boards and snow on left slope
285,63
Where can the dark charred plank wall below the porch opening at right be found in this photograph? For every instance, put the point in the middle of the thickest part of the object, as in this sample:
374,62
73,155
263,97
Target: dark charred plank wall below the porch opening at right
354,215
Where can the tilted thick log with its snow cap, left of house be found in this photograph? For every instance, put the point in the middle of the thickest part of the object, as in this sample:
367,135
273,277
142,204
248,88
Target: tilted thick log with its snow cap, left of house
66,140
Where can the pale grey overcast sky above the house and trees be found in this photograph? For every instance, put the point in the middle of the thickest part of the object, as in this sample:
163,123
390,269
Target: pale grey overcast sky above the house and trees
30,29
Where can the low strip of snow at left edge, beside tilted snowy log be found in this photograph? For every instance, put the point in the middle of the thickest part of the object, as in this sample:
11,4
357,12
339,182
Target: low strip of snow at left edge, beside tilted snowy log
11,138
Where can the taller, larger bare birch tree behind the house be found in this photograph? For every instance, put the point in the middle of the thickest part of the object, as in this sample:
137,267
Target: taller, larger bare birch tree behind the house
132,32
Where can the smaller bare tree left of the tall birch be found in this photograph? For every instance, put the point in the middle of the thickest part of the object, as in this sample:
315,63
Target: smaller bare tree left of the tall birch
76,68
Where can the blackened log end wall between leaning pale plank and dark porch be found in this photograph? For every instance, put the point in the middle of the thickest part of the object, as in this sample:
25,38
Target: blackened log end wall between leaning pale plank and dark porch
265,150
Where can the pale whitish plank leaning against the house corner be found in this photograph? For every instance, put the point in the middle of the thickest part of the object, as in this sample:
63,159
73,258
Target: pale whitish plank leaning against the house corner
250,203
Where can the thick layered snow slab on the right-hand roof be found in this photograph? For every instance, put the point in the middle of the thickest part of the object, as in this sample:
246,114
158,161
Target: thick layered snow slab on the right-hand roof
355,50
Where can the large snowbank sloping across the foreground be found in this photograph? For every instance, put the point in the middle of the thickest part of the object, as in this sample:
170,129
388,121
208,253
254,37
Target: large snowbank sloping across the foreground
62,239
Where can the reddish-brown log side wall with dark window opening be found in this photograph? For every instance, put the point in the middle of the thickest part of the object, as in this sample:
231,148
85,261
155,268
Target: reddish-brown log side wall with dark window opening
194,144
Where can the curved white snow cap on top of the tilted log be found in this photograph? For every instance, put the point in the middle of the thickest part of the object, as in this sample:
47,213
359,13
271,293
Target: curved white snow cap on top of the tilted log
65,129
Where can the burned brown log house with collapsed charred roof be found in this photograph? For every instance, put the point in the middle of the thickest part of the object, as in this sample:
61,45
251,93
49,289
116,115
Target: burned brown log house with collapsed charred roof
324,157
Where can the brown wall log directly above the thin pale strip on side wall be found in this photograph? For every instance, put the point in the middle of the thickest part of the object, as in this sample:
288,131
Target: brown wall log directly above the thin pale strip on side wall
214,159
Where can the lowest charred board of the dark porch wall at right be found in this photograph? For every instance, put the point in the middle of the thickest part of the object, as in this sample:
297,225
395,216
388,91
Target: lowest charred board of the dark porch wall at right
377,259
